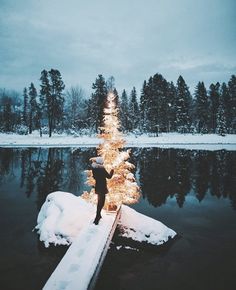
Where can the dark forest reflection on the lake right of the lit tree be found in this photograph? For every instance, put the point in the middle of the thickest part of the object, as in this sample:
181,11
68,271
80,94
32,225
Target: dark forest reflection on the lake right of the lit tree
167,173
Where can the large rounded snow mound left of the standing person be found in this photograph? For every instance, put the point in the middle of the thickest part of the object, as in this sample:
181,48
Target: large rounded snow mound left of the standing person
62,217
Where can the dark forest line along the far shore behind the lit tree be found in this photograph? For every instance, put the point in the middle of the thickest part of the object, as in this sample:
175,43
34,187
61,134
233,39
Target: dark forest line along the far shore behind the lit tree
161,106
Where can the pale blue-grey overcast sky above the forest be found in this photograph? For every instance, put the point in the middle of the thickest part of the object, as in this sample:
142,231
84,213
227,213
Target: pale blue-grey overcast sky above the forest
129,39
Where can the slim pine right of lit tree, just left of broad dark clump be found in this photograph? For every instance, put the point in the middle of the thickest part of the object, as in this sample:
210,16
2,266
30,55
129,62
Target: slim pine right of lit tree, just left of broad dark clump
133,110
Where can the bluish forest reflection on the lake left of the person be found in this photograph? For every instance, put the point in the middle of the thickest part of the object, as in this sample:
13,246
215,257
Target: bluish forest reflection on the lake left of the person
45,170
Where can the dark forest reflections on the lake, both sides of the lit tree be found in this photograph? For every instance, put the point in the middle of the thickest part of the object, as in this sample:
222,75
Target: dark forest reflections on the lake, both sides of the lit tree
162,173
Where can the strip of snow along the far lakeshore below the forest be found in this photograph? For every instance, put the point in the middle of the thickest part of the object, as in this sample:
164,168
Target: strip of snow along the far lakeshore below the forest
164,140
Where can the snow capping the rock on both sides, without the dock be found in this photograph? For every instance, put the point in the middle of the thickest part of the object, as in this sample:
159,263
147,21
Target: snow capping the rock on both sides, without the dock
63,216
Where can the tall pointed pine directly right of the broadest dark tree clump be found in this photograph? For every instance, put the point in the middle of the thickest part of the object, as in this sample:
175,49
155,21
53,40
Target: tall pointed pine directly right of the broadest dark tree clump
183,102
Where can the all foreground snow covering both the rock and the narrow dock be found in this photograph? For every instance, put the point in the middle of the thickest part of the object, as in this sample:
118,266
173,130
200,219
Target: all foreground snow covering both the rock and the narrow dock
65,218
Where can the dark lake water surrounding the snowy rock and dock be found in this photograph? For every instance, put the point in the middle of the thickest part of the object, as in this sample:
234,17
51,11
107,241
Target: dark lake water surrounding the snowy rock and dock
193,192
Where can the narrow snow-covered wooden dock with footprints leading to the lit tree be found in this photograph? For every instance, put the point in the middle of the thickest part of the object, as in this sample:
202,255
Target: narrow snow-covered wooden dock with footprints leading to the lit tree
80,266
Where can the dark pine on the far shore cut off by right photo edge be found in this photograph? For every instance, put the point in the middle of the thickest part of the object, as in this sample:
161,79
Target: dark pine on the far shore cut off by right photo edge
232,104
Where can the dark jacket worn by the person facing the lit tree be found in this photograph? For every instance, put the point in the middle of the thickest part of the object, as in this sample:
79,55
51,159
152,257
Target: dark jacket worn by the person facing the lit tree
100,174
